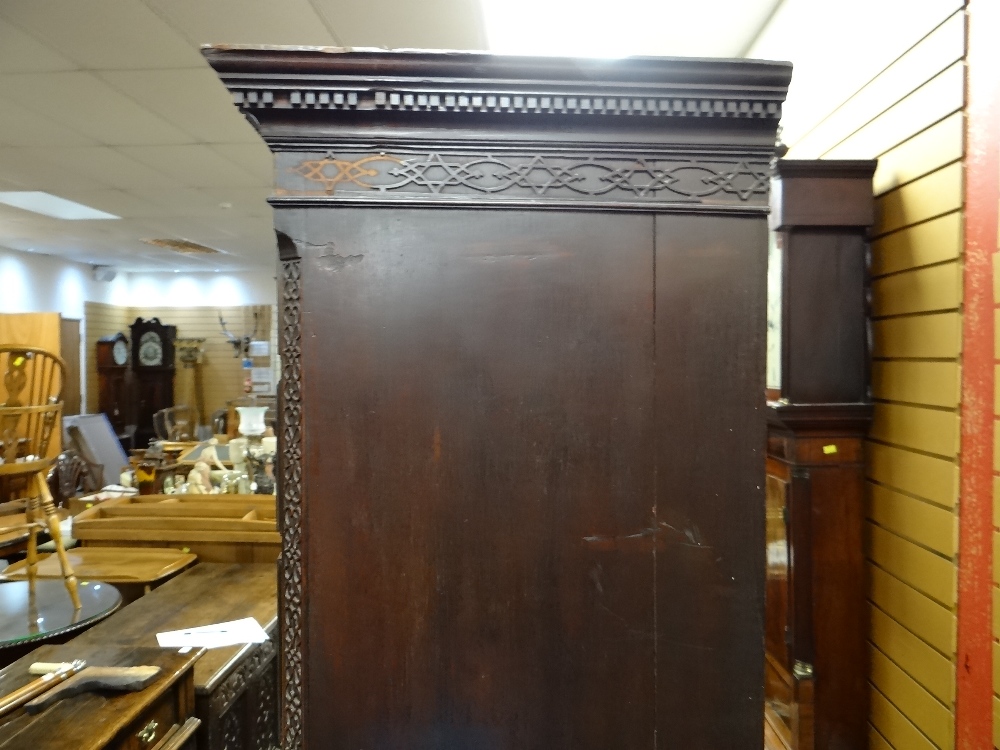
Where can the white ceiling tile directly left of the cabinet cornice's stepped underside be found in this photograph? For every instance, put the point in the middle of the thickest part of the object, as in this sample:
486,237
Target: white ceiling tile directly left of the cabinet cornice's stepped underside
193,100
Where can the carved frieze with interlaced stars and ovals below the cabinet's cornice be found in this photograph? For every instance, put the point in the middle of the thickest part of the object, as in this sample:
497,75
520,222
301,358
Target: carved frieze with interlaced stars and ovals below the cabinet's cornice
645,179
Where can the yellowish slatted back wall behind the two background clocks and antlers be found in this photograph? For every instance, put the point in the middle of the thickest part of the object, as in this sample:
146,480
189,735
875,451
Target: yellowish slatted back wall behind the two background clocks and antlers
222,372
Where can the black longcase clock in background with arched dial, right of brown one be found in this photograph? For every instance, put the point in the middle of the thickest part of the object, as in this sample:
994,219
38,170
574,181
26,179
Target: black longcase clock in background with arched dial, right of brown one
153,366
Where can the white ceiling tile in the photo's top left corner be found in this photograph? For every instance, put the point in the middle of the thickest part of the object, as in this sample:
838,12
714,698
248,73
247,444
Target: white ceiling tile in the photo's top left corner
103,34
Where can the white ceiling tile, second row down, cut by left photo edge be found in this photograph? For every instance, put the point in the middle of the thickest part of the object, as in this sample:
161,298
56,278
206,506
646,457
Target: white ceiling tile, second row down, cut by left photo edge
84,102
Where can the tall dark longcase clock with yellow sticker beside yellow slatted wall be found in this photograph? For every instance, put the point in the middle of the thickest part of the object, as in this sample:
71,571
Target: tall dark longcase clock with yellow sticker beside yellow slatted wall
819,408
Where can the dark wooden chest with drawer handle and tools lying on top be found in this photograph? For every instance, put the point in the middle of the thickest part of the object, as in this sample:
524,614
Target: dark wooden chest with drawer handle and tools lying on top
106,720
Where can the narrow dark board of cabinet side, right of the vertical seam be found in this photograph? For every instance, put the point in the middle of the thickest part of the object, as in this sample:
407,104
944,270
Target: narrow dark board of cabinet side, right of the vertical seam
710,571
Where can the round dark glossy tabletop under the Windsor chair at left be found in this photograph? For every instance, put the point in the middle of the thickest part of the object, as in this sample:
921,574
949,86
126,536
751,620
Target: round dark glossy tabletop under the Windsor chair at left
28,621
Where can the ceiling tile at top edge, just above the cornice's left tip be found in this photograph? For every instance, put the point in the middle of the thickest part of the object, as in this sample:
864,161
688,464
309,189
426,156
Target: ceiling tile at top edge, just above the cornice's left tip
245,21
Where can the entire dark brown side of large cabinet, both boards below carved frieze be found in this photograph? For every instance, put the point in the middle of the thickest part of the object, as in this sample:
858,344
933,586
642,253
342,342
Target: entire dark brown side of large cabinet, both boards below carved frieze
532,520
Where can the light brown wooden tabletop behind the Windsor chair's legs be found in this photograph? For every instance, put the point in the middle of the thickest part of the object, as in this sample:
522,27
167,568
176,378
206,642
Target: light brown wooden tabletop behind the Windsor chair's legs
133,570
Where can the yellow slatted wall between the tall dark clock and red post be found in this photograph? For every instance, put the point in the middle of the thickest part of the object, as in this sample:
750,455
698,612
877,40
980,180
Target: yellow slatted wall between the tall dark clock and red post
910,116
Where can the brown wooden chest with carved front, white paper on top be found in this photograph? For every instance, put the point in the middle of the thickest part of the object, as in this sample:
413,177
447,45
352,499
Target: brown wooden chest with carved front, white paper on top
235,687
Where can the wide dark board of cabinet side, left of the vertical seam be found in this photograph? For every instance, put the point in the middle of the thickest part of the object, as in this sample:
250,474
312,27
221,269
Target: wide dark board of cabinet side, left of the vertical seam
479,452
